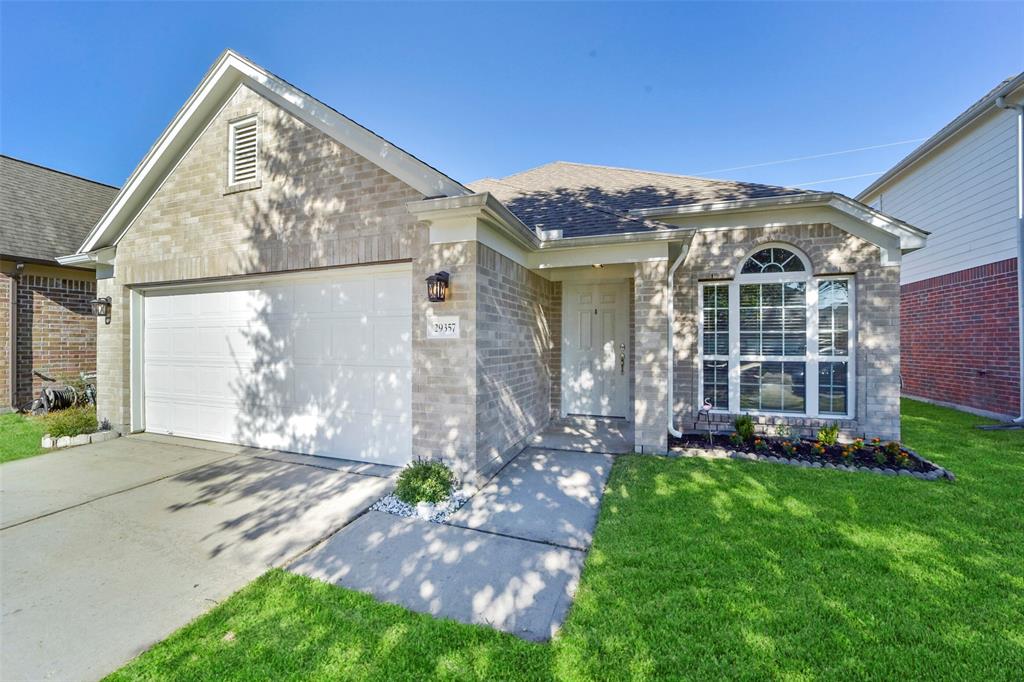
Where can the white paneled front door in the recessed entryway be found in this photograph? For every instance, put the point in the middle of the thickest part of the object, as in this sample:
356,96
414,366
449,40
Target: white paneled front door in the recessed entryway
596,350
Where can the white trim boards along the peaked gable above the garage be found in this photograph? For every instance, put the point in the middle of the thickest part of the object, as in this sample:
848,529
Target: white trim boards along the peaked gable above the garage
221,81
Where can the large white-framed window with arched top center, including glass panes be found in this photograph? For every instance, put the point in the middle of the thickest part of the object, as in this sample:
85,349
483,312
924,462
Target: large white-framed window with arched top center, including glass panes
778,339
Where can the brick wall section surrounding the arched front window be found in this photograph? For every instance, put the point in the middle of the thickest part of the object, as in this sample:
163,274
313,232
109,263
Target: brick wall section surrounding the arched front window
716,255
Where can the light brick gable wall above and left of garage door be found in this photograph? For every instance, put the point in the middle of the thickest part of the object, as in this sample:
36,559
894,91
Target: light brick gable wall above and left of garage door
318,204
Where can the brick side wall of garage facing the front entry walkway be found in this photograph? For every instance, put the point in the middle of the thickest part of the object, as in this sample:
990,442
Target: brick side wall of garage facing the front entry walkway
515,345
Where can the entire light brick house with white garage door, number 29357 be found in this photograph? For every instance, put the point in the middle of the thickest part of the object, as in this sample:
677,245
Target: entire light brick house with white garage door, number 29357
268,265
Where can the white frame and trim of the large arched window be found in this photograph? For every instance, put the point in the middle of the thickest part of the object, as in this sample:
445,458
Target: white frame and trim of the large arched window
812,358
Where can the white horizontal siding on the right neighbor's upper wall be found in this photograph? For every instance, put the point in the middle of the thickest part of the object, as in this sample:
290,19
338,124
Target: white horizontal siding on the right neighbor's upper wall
965,194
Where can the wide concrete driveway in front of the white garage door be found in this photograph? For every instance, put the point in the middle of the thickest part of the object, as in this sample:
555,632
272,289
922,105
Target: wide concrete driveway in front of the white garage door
107,549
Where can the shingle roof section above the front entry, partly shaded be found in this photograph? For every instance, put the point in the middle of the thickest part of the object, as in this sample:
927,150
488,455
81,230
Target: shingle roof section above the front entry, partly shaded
583,200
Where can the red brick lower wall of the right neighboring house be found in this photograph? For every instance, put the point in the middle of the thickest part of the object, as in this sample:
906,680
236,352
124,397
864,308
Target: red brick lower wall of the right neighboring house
959,338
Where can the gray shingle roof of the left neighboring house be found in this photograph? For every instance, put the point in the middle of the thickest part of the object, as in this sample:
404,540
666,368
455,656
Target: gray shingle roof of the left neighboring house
46,214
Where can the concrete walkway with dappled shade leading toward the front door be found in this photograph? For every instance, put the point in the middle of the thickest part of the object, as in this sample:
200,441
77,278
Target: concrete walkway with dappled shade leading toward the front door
511,559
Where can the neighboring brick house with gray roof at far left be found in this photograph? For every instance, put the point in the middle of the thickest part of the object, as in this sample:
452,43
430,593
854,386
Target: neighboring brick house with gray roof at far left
47,323
